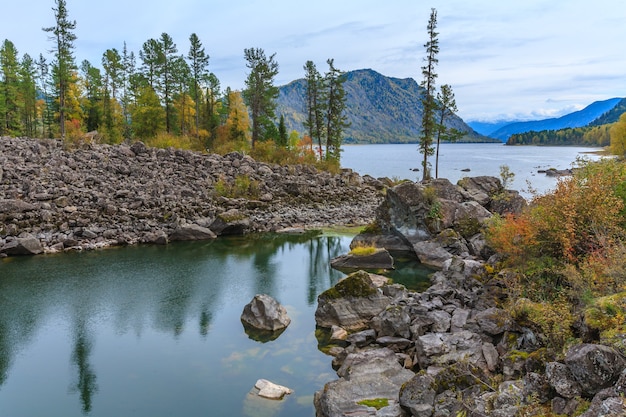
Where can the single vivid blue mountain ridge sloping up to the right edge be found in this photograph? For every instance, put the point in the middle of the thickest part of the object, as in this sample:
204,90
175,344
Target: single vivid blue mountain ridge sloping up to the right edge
577,119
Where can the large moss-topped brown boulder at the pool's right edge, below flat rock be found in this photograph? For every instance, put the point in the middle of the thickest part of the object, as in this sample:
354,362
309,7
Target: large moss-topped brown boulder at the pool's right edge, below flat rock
351,303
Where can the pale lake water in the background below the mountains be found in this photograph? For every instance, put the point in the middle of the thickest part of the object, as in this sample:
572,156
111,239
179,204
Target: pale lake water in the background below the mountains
480,158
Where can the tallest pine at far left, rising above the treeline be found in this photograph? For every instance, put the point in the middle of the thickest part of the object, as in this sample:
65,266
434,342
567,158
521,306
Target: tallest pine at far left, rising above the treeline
64,65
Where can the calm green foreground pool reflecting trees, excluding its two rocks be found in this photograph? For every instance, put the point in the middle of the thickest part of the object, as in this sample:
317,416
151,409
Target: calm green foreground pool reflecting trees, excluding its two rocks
155,331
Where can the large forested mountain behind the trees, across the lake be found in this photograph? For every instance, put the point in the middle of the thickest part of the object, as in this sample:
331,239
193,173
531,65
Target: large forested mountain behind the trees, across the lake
379,109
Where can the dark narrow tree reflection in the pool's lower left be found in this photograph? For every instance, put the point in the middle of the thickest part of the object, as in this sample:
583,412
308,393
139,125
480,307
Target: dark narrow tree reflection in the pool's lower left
85,384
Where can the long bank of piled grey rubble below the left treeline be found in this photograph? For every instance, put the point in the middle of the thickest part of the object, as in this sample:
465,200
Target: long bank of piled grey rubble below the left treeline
53,199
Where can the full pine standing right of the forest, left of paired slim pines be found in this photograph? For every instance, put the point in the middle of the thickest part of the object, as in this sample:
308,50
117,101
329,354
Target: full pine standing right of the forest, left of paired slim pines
260,93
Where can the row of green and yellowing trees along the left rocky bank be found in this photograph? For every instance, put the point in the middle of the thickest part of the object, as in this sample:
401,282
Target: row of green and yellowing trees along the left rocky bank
159,95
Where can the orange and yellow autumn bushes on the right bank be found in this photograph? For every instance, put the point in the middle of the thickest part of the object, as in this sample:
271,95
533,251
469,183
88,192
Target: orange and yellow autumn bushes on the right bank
571,239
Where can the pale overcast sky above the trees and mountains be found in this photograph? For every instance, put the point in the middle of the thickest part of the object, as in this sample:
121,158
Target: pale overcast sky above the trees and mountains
527,59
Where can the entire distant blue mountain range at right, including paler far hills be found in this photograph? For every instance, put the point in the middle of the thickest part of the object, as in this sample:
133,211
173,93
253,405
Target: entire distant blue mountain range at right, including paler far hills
598,112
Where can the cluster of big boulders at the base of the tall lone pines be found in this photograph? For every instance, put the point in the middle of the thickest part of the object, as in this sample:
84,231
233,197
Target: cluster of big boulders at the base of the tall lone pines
437,220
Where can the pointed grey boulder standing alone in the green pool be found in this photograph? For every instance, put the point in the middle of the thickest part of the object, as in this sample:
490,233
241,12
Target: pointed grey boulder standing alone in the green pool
265,313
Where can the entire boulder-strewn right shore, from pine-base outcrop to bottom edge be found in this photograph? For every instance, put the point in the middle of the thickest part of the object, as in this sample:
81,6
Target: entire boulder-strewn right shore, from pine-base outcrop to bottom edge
451,350
